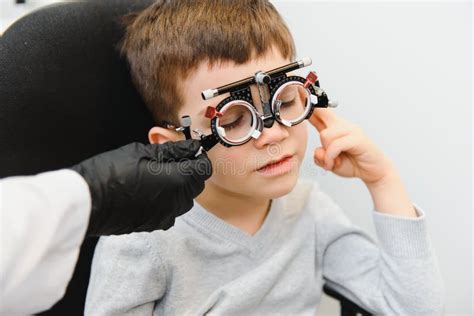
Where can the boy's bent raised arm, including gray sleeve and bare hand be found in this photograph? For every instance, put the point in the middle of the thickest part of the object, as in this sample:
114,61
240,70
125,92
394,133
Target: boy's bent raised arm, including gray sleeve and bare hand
400,276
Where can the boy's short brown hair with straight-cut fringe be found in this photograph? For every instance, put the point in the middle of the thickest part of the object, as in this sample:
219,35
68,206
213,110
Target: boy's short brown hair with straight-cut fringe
167,41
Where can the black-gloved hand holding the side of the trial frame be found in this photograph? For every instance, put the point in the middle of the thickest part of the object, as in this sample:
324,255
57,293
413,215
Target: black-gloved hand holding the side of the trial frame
143,187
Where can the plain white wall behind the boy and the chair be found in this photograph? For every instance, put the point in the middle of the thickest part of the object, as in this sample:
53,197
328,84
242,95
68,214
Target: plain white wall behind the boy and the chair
403,72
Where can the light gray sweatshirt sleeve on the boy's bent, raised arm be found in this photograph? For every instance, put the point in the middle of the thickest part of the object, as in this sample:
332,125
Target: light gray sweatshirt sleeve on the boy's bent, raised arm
398,275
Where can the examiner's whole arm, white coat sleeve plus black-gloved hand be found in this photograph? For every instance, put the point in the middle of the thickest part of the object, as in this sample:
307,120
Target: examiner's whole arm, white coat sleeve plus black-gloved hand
44,218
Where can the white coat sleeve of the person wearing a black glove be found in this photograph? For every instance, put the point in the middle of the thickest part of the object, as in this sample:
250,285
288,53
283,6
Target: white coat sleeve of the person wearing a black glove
43,220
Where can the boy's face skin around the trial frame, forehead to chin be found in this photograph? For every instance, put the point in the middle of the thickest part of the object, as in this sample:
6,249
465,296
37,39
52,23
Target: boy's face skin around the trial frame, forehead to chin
241,169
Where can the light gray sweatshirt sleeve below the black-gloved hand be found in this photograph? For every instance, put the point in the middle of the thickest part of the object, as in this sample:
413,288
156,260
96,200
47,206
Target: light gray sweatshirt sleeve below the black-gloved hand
127,276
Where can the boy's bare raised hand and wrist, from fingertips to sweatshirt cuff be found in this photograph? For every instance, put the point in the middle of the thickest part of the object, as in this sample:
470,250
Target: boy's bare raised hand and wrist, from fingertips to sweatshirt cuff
348,152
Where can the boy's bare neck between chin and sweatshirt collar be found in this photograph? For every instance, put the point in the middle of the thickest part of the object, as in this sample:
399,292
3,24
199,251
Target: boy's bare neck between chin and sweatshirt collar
243,212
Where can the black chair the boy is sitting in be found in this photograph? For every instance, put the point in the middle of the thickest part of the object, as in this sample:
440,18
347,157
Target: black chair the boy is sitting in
65,95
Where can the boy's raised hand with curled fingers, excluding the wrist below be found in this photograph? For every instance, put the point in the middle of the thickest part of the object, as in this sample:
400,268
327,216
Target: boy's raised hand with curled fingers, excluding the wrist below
346,150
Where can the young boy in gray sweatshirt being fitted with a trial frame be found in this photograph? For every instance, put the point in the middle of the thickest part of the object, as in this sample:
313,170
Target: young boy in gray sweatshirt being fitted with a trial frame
257,240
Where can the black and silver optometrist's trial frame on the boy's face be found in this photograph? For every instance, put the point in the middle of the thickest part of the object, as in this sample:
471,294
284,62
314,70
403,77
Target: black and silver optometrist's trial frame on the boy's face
275,79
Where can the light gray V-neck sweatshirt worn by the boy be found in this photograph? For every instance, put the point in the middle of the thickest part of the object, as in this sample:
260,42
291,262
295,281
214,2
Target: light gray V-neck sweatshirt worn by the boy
204,265
